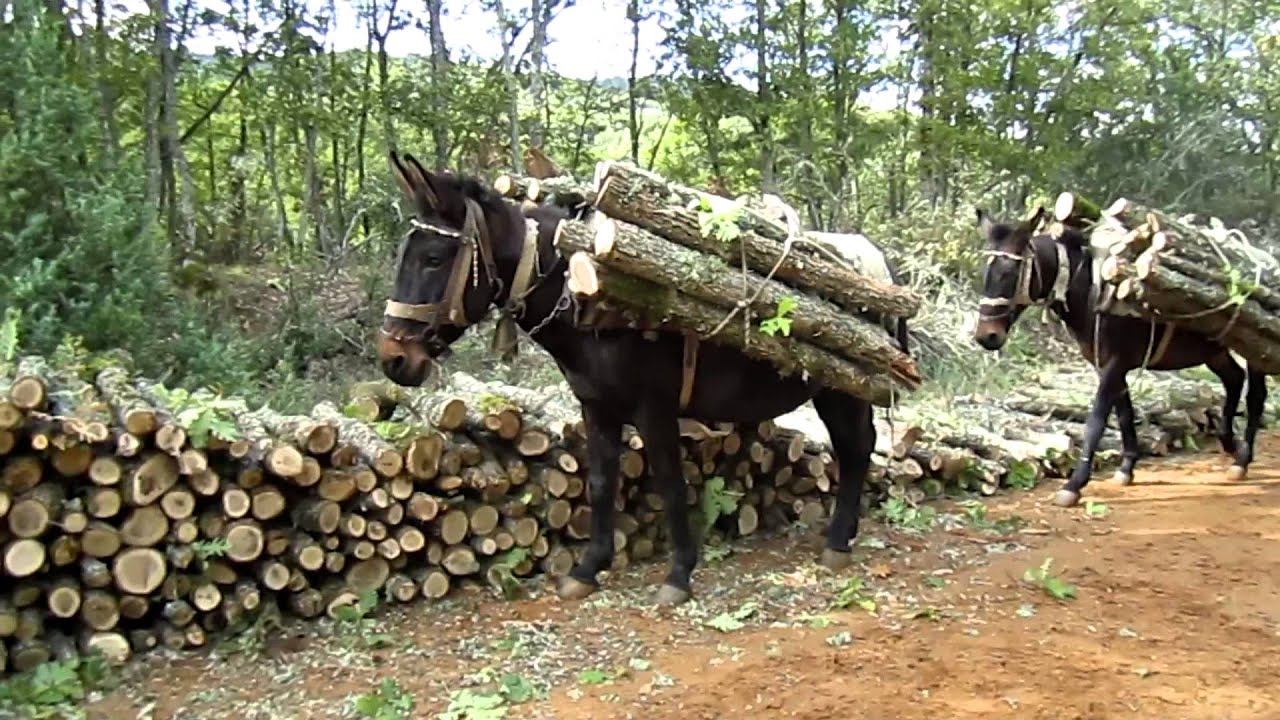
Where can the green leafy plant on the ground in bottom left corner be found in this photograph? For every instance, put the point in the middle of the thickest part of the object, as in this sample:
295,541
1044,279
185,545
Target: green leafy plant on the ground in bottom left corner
54,690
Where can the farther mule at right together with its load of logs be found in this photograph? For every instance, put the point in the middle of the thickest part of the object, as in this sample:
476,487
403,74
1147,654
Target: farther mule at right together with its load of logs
1116,279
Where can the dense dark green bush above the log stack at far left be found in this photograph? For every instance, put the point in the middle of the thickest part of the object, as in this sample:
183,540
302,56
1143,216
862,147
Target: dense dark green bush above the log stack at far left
81,254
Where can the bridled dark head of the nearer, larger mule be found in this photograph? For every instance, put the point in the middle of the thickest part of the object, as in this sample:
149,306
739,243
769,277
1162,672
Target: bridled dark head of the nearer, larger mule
446,276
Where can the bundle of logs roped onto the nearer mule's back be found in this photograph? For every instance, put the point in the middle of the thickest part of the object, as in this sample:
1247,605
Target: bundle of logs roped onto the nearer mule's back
647,253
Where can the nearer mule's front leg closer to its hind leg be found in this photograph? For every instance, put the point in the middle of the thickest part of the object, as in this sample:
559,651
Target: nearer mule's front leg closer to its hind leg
660,429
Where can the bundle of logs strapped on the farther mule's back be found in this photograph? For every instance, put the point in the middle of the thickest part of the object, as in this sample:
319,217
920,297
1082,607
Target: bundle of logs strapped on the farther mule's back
1190,271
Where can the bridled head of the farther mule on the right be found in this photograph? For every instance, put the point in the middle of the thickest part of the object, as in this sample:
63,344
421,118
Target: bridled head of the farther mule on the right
1007,282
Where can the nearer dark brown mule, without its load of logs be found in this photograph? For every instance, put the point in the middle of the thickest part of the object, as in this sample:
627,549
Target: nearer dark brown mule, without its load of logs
464,254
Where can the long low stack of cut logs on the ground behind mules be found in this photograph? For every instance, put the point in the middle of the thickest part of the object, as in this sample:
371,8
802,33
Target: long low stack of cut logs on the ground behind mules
134,516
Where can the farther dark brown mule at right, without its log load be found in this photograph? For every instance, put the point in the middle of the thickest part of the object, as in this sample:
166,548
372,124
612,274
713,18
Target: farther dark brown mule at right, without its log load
1027,270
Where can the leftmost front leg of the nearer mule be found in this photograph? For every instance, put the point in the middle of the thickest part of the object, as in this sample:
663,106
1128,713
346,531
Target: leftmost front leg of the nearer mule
604,452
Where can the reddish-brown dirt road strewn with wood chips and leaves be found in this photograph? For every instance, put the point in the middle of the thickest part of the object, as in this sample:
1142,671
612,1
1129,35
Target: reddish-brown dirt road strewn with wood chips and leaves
1177,616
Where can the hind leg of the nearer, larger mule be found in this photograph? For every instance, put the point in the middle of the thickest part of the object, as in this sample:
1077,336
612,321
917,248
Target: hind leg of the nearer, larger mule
853,438
